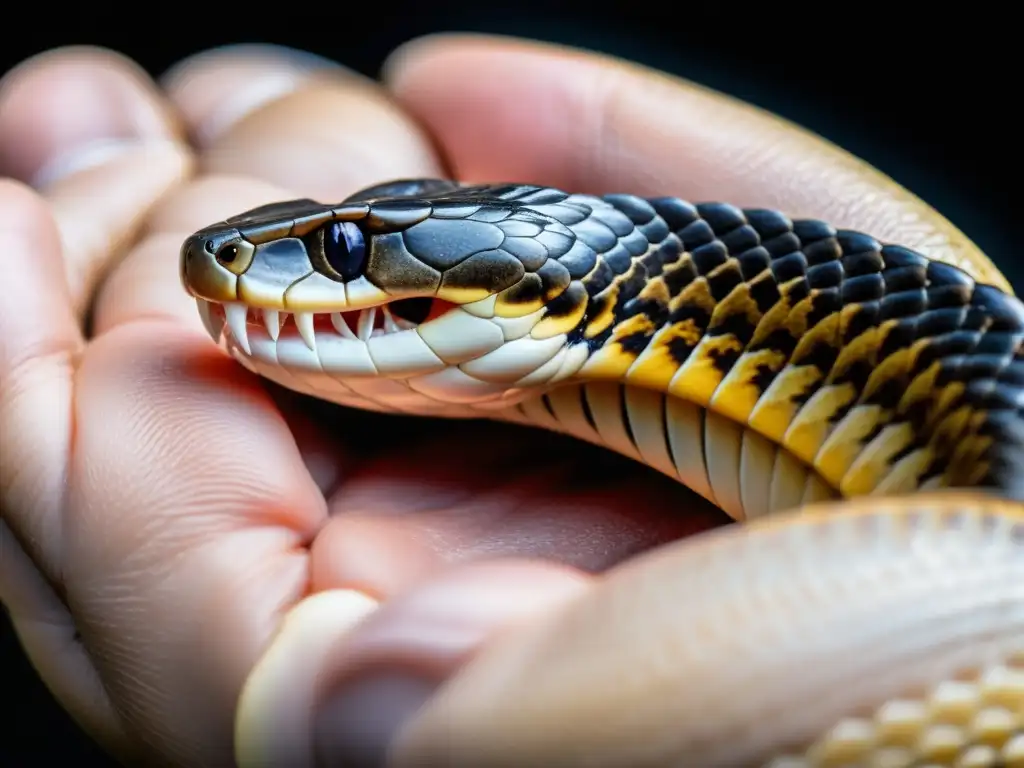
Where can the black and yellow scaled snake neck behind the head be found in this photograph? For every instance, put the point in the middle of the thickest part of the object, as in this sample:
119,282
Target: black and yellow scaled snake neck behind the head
766,363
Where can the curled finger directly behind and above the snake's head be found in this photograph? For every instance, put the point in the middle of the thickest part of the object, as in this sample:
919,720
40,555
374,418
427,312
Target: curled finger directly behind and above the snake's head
359,136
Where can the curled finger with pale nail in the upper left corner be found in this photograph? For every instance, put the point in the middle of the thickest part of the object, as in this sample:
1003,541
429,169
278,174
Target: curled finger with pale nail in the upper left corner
91,131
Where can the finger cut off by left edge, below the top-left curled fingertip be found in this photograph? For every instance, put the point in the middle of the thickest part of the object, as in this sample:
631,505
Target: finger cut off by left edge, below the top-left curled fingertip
40,348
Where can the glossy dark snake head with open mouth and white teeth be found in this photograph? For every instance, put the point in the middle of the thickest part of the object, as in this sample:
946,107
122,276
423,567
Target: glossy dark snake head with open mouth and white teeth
459,291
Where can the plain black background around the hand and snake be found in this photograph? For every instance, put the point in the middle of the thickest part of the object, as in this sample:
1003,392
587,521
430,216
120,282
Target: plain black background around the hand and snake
931,102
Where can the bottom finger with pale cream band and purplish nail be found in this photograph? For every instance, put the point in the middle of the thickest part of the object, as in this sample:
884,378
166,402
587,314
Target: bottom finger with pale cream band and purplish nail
327,695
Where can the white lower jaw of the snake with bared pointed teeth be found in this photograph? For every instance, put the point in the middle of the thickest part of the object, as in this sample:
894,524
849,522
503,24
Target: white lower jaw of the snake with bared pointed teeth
452,362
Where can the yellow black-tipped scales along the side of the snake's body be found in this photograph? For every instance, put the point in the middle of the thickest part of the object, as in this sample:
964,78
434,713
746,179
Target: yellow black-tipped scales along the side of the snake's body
734,400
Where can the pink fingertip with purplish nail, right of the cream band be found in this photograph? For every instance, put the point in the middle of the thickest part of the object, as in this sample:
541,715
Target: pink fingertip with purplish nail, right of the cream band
440,626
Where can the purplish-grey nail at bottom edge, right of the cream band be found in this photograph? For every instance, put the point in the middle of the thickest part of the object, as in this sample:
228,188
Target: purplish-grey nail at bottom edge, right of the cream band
356,727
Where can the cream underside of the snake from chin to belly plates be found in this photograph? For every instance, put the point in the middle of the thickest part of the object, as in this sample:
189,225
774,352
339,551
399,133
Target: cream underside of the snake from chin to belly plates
731,465
